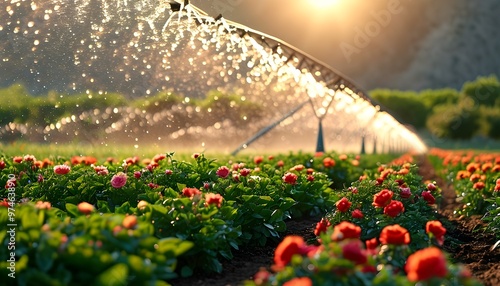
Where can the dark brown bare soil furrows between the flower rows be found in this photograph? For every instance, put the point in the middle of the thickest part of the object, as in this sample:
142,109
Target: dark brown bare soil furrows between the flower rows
464,242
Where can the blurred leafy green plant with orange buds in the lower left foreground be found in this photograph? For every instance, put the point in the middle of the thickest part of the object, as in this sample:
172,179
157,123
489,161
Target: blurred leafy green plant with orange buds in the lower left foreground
83,247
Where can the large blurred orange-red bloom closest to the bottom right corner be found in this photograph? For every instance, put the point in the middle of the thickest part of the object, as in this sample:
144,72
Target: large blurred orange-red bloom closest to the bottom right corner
426,264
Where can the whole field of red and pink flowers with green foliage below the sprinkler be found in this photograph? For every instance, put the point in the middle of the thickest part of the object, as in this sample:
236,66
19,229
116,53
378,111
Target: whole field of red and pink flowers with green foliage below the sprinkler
169,219
